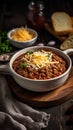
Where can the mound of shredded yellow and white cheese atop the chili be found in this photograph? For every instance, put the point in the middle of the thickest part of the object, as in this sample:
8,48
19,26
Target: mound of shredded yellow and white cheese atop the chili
38,59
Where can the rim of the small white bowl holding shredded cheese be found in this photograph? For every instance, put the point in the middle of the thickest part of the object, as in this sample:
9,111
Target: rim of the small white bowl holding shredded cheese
14,29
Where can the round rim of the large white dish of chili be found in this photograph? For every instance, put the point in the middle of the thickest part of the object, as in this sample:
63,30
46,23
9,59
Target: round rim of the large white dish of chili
36,80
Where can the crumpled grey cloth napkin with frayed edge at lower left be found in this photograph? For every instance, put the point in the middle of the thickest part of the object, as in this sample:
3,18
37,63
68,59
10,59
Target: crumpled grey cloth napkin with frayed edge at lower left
15,115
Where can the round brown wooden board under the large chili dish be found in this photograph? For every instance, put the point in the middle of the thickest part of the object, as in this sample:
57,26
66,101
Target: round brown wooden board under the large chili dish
43,99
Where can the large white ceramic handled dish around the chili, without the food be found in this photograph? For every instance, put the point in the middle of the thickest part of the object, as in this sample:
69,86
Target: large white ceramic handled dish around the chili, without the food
40,85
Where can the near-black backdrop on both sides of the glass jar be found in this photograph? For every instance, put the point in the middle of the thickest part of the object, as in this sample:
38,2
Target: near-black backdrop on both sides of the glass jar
13,12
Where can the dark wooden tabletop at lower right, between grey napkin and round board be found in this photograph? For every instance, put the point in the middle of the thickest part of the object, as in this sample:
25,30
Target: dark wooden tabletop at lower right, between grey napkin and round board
59,117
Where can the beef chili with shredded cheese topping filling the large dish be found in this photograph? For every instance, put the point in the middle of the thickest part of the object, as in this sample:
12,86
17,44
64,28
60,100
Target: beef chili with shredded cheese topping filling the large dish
39,64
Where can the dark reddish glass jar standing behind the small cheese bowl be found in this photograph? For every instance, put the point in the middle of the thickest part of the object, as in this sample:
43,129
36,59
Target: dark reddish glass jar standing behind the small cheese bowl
35,17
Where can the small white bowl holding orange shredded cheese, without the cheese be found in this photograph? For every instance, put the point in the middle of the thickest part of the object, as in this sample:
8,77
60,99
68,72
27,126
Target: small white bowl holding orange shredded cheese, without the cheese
22,44
